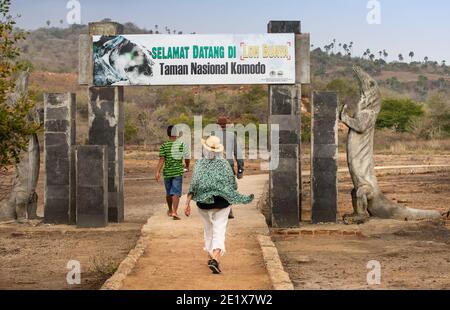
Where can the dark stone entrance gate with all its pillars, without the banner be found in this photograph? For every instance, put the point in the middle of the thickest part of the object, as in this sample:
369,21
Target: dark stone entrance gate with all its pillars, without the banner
106,128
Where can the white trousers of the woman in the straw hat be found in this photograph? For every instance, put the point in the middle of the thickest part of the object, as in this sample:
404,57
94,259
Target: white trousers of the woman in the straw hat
215,227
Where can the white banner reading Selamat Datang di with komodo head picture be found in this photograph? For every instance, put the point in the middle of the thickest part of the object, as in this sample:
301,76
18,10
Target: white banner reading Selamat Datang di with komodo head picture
194,59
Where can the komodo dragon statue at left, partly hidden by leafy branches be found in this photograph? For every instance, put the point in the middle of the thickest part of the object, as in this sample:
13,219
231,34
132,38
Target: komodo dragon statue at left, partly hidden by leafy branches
21,203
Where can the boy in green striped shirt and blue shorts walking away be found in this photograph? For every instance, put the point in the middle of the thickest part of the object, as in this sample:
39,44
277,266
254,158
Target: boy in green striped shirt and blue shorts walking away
171,155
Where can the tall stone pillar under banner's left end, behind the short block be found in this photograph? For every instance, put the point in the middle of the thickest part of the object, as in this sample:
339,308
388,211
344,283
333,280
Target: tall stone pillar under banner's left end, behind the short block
106,127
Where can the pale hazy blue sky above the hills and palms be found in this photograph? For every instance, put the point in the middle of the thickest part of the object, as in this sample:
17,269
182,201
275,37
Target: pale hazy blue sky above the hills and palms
406,25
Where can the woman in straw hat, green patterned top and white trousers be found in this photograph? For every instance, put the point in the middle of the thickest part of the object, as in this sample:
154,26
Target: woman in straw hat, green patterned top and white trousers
214,188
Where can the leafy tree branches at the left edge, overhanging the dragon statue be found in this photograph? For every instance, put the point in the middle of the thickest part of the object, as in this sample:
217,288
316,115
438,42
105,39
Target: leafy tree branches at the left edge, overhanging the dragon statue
15,128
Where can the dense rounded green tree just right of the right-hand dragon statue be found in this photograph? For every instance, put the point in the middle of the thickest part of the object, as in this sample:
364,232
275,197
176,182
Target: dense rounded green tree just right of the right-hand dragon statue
398,114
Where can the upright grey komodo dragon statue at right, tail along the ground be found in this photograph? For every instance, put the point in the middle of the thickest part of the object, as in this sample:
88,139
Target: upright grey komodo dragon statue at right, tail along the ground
367,199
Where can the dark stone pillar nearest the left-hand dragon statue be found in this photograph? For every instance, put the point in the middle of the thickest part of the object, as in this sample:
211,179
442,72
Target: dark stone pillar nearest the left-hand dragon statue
59,139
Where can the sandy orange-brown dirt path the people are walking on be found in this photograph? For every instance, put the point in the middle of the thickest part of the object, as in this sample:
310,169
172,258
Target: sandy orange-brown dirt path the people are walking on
175,260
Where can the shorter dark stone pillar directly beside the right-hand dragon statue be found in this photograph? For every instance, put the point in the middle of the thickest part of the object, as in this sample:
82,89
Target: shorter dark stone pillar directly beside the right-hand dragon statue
324,157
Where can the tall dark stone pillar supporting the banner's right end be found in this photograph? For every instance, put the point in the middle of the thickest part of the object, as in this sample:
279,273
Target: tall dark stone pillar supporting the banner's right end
284,109
